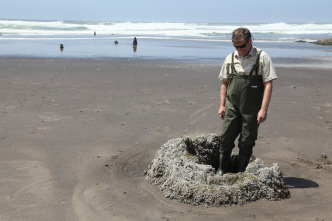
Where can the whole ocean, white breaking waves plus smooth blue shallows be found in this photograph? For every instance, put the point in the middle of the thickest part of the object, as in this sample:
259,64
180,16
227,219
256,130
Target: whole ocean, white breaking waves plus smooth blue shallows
203,41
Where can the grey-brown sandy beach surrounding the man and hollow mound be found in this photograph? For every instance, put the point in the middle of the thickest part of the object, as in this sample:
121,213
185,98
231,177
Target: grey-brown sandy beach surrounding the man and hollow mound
77,135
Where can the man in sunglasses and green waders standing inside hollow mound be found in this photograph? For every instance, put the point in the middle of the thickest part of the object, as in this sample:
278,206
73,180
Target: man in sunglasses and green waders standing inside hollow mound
245,94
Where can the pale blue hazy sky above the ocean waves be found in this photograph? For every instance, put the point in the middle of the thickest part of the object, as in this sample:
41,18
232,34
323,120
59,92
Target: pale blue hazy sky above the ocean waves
263,11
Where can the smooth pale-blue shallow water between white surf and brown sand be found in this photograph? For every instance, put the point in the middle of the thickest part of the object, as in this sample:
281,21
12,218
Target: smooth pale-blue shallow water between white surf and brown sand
153,49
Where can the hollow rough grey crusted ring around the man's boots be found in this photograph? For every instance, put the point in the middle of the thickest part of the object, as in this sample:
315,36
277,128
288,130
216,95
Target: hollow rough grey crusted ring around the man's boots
184,169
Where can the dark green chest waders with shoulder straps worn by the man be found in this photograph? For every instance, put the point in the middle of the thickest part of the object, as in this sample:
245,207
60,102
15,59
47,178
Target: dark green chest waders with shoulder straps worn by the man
243,101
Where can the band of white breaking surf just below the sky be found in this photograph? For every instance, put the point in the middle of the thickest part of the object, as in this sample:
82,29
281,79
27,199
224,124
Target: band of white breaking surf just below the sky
190,30
